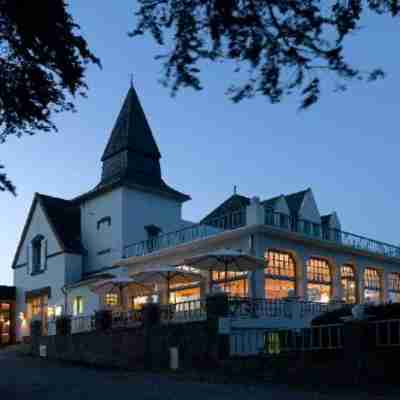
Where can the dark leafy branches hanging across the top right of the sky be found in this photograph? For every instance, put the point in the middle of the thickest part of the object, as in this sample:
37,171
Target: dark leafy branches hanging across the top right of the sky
287,45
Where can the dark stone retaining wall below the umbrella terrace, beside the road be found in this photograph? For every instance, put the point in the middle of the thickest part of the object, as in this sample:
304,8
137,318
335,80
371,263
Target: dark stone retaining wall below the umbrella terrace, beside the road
133,348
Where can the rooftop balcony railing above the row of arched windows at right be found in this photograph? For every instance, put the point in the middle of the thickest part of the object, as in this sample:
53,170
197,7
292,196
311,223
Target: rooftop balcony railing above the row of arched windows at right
318,231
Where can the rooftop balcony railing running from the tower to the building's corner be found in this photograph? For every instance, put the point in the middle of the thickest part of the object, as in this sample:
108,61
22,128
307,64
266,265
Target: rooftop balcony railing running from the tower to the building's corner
211,227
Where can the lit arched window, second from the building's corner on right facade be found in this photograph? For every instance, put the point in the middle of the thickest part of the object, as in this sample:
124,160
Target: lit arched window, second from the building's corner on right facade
319,277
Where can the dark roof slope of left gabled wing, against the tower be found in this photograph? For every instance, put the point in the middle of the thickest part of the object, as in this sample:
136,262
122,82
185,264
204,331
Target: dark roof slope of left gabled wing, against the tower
65,218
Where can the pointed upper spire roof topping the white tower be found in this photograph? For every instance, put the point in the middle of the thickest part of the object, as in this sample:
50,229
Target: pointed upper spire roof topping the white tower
131,130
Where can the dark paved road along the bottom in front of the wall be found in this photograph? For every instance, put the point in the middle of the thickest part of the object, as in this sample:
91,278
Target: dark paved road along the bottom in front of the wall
32,379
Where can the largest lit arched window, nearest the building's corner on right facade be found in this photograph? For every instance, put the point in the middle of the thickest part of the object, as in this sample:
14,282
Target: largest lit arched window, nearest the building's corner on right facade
280,275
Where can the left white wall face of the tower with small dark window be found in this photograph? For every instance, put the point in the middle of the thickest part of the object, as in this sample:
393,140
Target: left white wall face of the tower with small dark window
107,237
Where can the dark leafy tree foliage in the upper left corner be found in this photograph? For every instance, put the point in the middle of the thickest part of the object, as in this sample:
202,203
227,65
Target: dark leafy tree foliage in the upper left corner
42,64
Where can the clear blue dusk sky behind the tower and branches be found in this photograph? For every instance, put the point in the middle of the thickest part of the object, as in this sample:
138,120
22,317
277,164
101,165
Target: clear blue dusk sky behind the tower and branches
346,148
